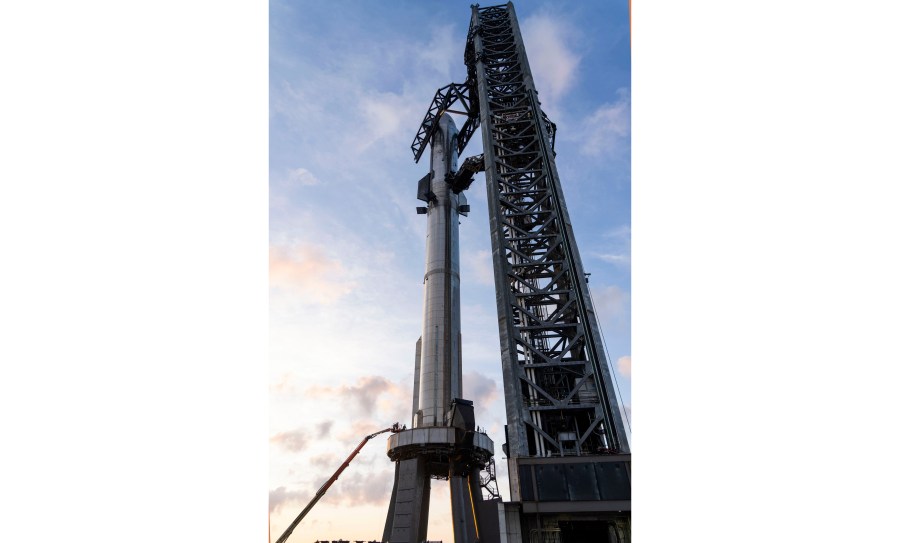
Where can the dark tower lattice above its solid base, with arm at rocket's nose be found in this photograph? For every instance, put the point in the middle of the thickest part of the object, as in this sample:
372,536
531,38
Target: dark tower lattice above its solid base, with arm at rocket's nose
560,398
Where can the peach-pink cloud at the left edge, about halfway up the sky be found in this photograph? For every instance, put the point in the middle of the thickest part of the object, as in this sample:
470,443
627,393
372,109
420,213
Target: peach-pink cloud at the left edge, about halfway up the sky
308,272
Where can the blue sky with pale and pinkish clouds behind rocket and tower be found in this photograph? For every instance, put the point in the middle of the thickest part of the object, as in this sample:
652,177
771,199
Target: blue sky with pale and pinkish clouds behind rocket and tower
349,85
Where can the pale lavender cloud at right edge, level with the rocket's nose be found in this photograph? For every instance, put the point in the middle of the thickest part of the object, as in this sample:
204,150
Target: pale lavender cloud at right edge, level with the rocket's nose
605,133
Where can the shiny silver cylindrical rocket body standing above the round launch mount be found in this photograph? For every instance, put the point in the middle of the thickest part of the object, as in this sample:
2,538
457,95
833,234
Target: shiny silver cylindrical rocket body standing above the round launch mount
440,366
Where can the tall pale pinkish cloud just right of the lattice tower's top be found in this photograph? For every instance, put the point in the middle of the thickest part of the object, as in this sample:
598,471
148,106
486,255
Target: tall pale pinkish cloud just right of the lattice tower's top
553,64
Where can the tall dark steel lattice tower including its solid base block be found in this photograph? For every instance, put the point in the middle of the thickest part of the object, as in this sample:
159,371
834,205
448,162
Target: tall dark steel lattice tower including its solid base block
566,441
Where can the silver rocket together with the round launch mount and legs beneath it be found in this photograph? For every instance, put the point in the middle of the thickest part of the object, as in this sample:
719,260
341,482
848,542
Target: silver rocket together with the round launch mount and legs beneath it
443,442
